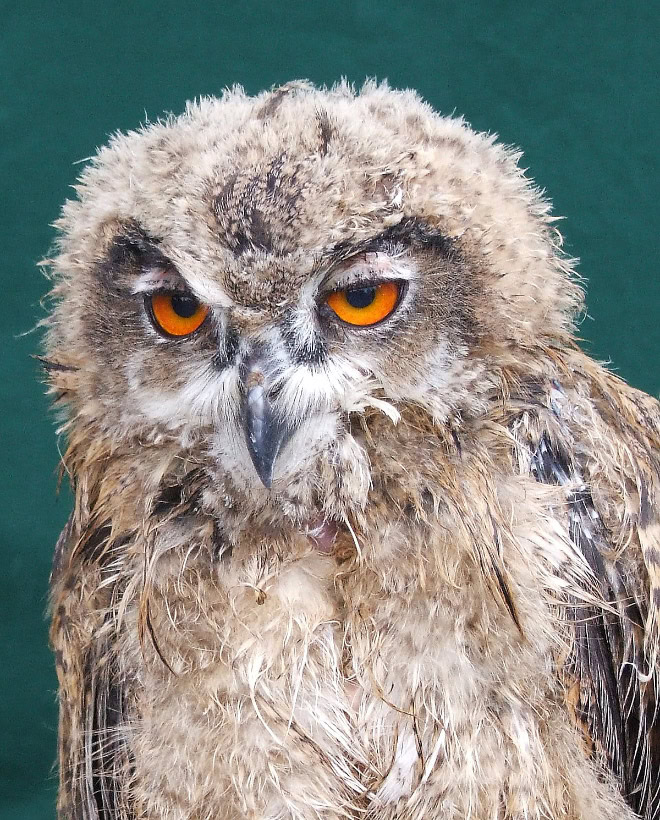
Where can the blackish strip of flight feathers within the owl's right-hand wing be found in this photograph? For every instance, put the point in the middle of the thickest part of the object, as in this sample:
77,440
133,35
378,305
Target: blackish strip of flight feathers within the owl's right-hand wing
619,709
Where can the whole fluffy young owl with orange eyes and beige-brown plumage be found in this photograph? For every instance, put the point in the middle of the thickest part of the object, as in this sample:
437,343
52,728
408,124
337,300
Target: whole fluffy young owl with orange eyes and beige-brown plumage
358,529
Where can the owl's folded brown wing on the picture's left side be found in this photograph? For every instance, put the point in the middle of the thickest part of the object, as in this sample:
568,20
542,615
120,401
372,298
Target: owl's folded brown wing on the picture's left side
93,756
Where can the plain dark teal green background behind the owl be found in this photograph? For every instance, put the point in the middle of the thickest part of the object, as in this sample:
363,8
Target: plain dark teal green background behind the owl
574,84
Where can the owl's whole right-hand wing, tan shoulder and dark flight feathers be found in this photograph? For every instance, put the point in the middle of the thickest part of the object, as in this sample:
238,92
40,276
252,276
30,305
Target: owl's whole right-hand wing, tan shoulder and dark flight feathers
610,672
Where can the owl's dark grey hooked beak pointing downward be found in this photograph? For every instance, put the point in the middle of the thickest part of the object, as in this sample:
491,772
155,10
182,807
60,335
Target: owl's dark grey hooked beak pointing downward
265,432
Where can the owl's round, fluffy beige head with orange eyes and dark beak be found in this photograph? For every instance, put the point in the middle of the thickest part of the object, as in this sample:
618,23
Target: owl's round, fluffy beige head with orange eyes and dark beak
268,286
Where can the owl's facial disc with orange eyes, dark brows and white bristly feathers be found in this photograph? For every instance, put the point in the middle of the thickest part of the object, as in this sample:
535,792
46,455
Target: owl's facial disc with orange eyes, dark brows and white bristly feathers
271,385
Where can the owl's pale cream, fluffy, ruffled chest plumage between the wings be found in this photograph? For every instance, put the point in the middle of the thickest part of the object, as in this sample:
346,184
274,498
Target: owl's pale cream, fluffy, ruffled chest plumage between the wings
356,684
